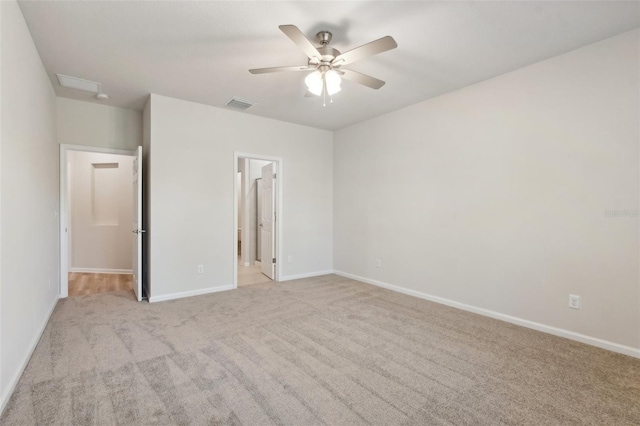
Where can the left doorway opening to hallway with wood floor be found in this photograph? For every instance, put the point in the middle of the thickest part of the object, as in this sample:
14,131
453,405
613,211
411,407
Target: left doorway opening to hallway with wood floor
98,203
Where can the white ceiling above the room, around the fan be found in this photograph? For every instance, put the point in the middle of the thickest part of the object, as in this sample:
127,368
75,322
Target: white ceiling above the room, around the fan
201,51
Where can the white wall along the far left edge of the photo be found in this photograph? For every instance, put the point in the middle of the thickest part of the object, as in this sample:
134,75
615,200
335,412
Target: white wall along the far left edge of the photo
29,198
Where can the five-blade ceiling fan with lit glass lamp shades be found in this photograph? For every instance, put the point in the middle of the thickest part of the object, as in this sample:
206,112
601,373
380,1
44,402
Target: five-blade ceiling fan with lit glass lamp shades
325,63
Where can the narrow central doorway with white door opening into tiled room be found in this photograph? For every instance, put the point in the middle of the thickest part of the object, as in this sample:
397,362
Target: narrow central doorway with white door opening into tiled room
257,203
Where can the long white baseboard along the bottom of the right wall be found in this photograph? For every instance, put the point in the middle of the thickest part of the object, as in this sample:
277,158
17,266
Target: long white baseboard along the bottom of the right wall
593,341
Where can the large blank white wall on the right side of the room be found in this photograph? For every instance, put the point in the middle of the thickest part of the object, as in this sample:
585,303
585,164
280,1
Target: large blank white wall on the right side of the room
494,196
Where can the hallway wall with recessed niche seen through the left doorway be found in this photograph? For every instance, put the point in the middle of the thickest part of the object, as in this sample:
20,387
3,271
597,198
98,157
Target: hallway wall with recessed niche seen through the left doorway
100,243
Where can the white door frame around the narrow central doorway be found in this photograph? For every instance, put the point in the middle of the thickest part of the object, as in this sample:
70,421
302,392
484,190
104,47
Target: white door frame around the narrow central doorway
278,210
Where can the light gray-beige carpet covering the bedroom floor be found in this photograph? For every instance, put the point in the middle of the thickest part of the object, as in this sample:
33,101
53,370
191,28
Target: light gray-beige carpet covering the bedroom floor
324,350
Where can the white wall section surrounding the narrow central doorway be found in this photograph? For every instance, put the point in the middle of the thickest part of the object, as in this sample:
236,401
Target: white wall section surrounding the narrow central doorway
192,184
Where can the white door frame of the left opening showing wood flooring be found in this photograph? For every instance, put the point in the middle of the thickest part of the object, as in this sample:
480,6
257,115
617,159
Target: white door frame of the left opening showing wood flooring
64,206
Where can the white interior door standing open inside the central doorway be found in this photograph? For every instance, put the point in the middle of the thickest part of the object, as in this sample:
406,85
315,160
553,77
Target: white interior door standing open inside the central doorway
268,221
